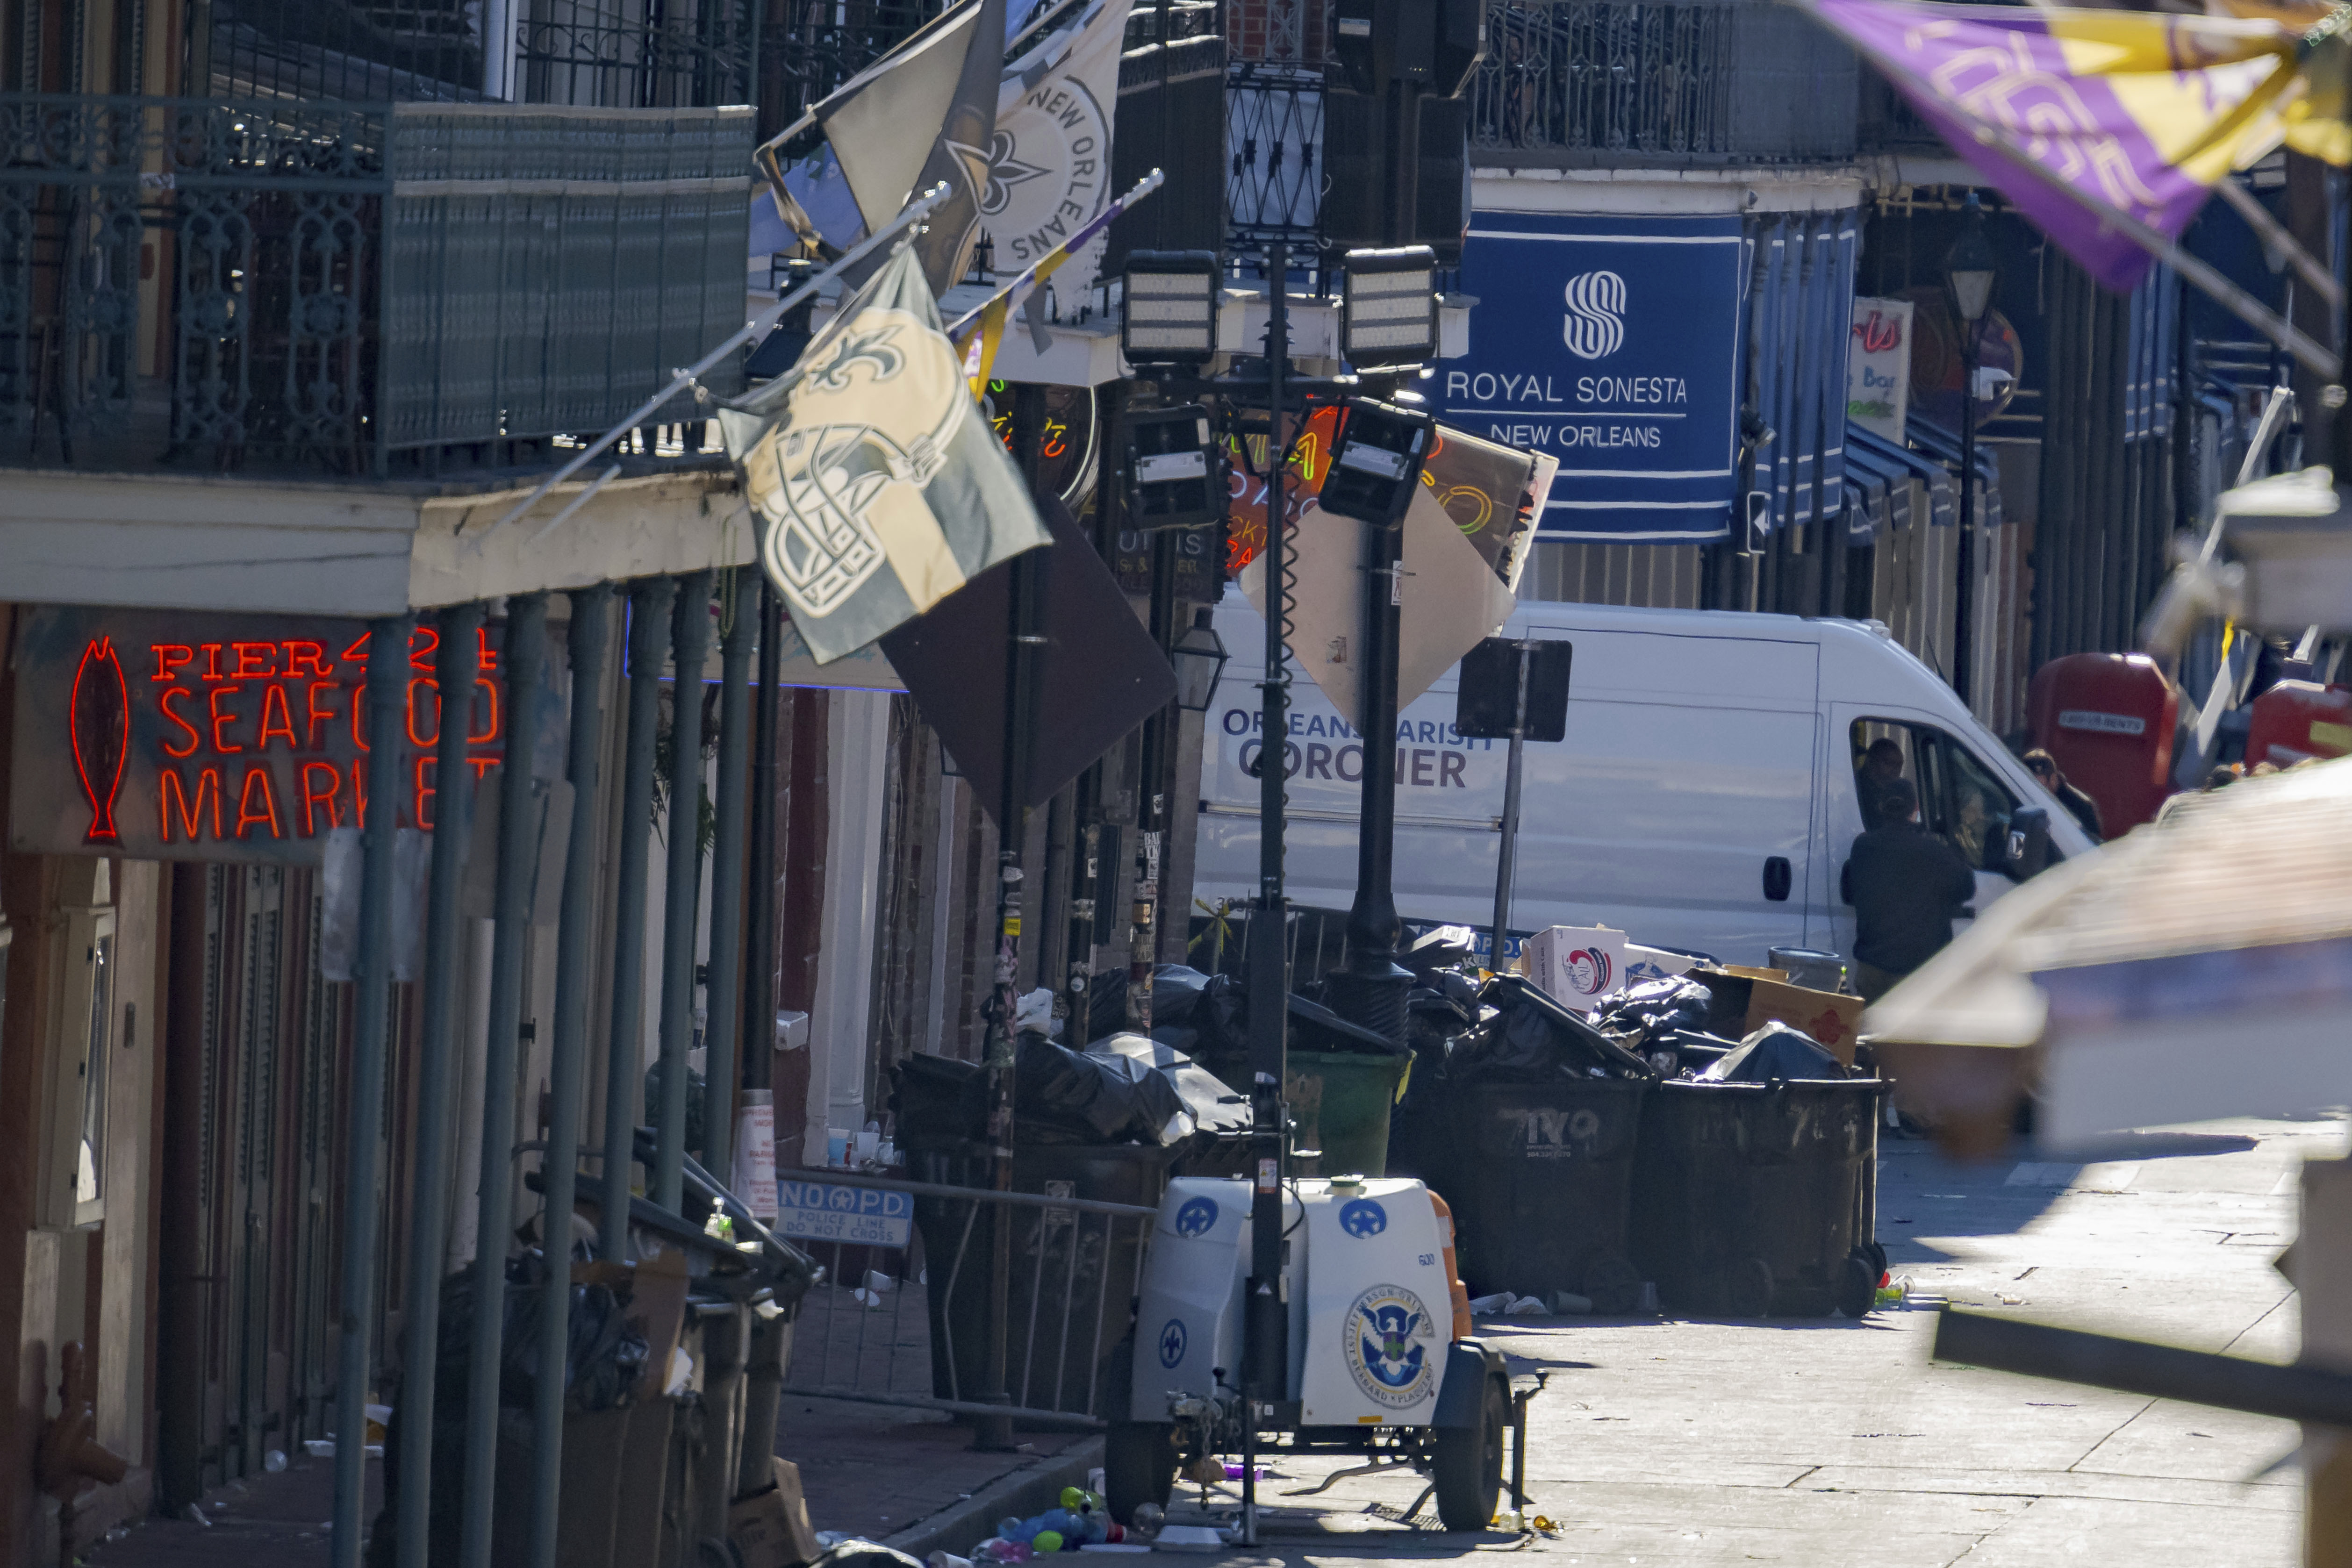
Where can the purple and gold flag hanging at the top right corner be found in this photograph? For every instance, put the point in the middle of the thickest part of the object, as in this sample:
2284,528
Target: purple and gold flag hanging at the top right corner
2132,112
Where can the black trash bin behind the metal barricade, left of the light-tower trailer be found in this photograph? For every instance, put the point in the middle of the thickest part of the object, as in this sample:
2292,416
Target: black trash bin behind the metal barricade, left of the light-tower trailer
1074,1273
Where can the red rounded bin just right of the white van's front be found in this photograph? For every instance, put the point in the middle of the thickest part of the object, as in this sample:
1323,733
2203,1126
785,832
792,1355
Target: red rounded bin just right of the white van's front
2109,721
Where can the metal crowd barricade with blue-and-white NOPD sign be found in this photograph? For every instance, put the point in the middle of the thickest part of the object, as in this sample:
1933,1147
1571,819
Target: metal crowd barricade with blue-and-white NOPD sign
902,1311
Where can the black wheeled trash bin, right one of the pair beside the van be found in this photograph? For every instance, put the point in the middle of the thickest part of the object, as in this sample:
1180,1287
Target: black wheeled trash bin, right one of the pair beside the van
1760,1200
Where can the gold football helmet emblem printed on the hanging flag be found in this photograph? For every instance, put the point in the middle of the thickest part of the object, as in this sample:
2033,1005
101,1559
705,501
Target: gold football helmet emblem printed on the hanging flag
843,478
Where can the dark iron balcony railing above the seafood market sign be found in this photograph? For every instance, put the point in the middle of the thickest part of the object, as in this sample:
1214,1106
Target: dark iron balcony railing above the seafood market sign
354,288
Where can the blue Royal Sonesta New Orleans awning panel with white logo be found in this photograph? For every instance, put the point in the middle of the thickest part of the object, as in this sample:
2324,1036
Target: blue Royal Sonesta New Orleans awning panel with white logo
1612,344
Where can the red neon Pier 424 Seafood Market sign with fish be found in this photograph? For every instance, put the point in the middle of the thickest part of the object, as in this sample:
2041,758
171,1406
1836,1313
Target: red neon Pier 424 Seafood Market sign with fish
180,737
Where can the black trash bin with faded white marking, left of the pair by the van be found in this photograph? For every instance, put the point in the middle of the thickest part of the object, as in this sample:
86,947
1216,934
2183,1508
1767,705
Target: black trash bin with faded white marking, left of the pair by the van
1539,1179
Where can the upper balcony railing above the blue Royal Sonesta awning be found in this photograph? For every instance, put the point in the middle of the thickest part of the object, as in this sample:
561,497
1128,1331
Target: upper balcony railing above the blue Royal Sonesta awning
1631,83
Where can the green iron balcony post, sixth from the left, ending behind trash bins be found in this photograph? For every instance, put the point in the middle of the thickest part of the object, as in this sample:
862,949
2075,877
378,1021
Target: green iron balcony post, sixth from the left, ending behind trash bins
681,894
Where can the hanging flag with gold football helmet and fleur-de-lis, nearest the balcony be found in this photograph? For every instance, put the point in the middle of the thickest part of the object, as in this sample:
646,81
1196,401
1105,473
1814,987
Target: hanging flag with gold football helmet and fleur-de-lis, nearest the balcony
878,483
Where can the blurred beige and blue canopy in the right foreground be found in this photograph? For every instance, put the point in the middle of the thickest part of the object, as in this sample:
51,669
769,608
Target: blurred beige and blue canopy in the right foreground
2191,970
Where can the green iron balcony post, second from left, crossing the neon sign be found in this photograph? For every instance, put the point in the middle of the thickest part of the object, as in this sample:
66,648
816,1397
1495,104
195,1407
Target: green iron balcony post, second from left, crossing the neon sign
455,671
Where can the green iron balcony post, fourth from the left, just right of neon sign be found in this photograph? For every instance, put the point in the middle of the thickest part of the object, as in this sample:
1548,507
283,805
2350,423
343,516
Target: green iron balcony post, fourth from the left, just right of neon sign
568,1059
